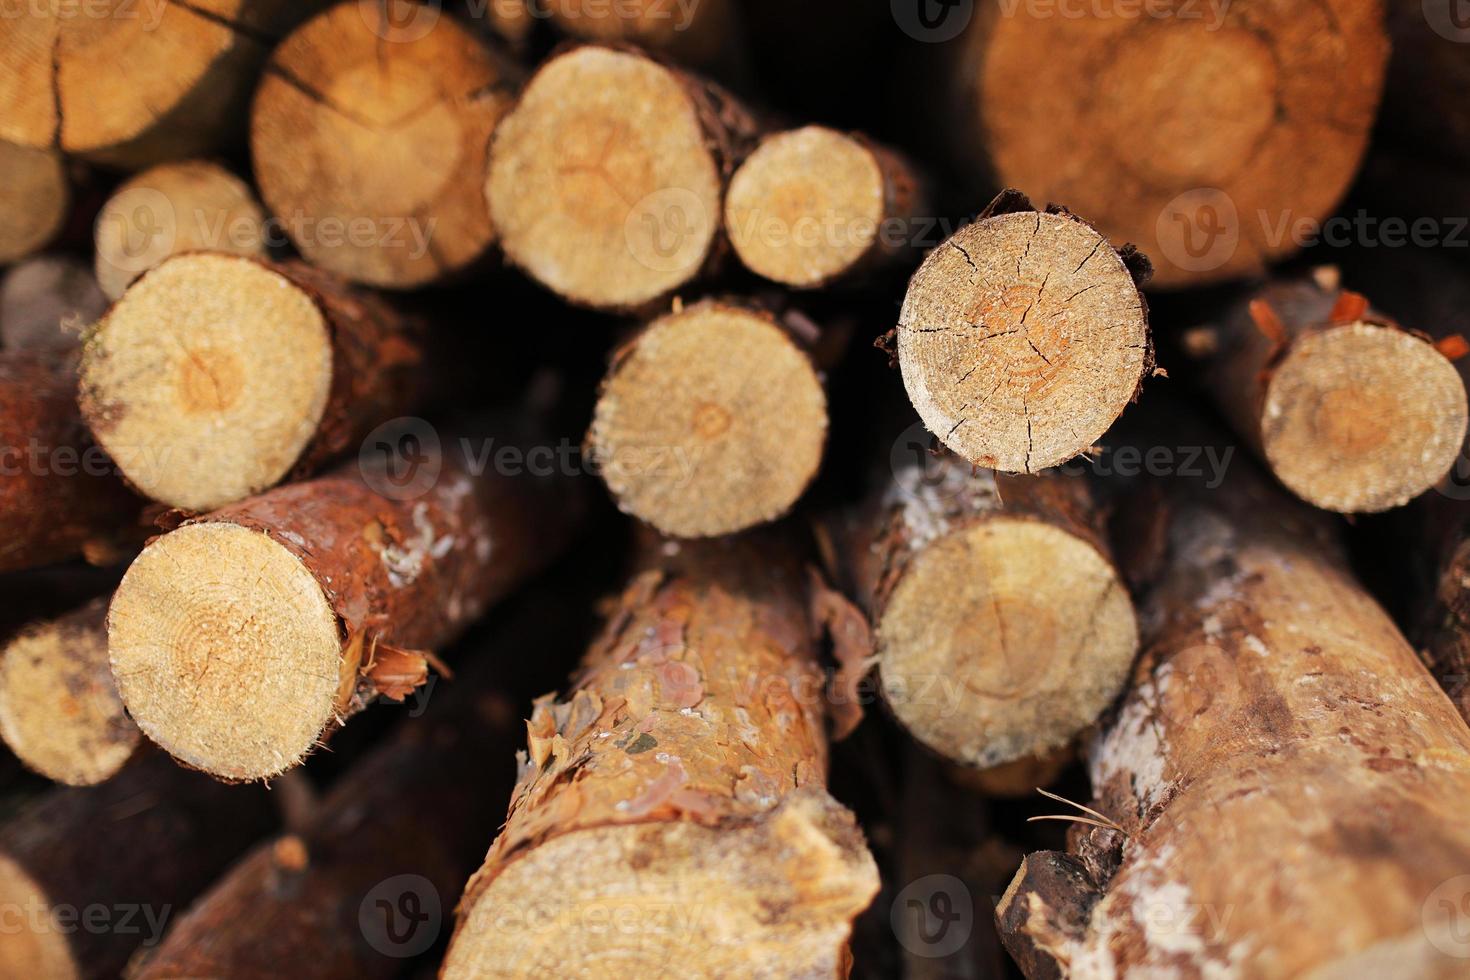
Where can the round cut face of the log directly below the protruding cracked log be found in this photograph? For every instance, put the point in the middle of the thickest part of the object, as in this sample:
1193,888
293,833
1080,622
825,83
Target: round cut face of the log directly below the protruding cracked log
1005,640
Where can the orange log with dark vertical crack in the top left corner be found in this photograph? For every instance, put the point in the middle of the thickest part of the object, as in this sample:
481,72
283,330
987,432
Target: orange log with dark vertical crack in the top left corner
132,84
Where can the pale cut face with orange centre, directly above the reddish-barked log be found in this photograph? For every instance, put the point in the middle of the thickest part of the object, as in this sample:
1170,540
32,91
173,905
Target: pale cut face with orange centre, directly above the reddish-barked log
208,380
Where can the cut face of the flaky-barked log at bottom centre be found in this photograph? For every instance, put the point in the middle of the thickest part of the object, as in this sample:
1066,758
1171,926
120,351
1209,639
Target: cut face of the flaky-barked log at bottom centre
775,896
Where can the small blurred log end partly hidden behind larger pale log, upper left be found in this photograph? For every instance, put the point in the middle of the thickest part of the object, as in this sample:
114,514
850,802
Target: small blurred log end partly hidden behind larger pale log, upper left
171,209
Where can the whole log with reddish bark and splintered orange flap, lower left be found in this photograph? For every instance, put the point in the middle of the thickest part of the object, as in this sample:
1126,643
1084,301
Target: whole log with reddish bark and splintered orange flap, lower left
243,638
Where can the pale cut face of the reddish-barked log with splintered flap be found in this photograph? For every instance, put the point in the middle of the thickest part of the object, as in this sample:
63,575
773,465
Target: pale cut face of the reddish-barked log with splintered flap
226,650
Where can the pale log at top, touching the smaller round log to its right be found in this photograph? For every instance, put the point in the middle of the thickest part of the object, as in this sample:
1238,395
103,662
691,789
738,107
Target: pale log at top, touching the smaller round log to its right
606,179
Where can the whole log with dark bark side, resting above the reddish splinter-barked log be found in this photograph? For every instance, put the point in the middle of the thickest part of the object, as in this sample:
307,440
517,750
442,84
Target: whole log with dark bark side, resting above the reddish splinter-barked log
218,377
